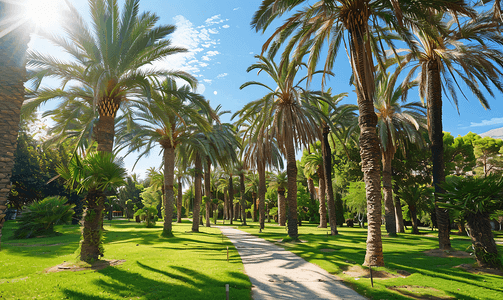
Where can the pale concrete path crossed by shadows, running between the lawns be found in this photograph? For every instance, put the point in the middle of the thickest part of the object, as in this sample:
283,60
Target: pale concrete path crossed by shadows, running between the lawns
279,274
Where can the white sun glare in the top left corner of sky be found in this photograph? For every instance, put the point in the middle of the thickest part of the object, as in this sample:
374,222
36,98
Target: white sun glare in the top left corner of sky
44,13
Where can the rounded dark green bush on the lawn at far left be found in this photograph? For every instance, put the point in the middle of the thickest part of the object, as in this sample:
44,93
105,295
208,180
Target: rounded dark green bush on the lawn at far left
40,217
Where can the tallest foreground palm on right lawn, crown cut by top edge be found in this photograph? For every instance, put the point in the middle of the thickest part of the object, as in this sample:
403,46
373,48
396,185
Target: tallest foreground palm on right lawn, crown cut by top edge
327,21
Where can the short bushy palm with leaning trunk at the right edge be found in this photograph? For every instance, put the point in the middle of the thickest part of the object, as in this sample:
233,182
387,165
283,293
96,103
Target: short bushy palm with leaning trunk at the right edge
477,198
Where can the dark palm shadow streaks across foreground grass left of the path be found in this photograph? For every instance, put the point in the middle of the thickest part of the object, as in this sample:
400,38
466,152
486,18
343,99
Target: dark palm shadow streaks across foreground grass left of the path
181,283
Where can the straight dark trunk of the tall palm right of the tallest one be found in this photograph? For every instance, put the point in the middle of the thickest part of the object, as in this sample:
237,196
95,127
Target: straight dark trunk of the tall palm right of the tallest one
434,103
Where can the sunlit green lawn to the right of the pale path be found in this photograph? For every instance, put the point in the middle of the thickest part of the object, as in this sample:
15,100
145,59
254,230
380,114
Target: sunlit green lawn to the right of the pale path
431,277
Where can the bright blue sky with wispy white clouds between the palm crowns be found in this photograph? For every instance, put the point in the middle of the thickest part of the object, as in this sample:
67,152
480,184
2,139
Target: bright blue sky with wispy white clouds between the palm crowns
222,45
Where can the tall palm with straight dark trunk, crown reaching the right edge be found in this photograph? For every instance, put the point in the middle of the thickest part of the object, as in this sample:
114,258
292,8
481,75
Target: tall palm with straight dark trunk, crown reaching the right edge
466,52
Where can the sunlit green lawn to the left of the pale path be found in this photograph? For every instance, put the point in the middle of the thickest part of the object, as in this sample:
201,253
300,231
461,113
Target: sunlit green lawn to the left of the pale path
188,266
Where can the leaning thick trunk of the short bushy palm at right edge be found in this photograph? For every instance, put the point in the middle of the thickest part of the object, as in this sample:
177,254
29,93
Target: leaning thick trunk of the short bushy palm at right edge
483,242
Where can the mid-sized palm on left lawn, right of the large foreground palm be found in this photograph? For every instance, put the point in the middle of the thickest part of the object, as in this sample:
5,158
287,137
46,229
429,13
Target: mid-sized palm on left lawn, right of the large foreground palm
170,119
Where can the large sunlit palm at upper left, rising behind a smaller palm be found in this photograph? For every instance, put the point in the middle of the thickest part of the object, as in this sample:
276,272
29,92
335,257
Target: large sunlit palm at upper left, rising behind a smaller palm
110,59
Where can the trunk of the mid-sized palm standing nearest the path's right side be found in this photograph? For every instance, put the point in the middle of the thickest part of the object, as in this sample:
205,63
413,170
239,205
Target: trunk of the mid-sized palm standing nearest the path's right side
291,171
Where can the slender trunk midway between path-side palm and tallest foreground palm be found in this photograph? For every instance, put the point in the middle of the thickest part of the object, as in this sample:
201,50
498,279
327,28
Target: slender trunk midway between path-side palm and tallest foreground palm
327,172
